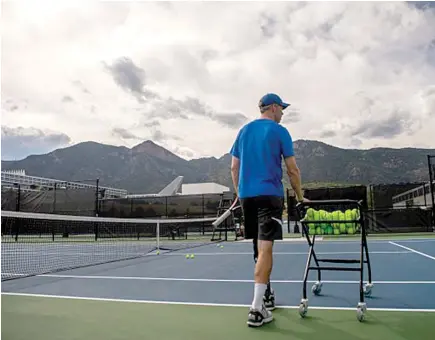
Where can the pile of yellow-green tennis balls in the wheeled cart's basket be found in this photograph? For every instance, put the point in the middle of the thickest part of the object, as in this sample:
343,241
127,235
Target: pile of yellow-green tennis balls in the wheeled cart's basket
333,228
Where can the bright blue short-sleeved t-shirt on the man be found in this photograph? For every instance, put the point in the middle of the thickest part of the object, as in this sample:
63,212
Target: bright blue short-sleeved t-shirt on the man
260,145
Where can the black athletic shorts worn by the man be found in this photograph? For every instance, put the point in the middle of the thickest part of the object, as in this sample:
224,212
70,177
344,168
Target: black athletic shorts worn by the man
263,217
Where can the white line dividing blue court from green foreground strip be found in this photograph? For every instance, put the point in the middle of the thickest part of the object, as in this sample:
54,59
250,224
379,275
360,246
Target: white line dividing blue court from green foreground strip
207,304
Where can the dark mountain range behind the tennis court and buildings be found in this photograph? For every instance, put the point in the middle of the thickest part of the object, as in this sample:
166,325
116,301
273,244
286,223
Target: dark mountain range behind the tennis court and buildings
148,167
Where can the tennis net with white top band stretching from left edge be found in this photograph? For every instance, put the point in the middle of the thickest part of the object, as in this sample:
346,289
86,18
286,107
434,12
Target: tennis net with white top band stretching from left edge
35,243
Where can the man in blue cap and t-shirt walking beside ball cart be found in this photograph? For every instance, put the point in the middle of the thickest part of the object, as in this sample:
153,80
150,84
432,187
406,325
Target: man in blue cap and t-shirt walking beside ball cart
256,171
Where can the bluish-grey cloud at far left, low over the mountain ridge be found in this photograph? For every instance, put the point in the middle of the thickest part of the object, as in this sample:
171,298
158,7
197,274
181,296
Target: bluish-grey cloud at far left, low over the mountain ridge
17,143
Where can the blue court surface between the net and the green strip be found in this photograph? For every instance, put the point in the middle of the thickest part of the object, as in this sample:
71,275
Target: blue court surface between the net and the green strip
403,273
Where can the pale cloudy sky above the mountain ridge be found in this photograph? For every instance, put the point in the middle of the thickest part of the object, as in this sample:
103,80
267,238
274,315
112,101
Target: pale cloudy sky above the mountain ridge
188,76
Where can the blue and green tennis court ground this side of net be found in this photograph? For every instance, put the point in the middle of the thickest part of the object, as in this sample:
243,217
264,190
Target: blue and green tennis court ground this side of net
169,296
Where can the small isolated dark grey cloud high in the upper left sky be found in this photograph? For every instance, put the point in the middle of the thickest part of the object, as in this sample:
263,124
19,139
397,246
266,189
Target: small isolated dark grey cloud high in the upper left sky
131,78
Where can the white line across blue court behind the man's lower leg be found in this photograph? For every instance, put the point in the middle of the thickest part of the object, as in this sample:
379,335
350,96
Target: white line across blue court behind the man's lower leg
145,278
